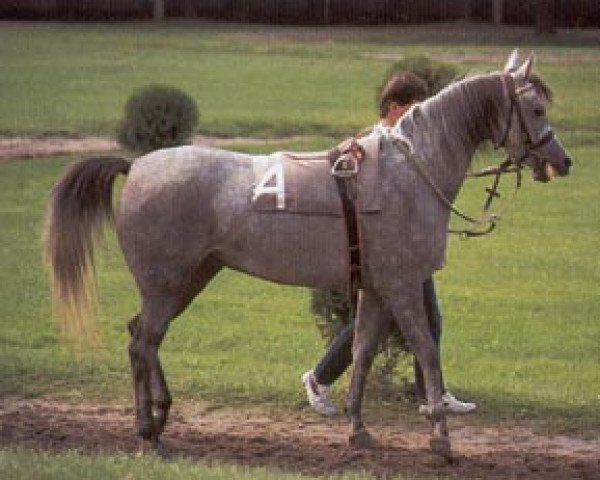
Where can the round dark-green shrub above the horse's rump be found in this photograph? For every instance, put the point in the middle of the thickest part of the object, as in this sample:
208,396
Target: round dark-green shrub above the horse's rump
157,116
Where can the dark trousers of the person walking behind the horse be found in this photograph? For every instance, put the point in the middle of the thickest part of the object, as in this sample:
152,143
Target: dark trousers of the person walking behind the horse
338,356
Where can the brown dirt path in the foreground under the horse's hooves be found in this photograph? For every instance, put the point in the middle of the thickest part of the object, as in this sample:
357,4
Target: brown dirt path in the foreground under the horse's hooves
300,442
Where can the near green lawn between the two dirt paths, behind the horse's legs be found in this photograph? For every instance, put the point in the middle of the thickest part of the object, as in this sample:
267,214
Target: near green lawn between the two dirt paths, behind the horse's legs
520,308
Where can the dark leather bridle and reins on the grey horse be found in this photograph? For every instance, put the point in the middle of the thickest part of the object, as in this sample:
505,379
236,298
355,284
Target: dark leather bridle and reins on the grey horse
486,223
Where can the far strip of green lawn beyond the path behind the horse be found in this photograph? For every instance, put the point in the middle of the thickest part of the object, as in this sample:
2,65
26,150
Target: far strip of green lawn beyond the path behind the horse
254,80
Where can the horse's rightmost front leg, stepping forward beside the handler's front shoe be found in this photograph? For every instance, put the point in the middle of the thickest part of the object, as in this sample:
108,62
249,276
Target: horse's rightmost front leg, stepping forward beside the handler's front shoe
409,312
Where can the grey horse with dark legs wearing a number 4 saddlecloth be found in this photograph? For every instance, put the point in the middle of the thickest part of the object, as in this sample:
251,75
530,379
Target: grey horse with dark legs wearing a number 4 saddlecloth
185,213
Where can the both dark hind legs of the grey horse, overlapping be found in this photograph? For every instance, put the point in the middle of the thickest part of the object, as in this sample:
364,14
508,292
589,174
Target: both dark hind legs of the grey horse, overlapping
152,397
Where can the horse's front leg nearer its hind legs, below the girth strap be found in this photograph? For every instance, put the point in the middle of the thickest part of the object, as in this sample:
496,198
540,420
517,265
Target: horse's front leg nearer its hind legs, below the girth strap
370,324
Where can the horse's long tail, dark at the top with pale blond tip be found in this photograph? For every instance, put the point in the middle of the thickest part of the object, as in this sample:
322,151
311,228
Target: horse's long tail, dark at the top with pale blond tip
79,205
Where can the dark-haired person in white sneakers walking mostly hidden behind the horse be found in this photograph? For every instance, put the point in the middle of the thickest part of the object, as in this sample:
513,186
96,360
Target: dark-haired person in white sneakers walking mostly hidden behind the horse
400,93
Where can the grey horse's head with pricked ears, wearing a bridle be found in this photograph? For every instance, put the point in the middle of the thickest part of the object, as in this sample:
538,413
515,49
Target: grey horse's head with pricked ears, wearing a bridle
528,136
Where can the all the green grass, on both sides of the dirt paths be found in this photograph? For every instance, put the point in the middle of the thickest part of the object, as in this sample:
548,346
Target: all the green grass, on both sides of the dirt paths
522,329
